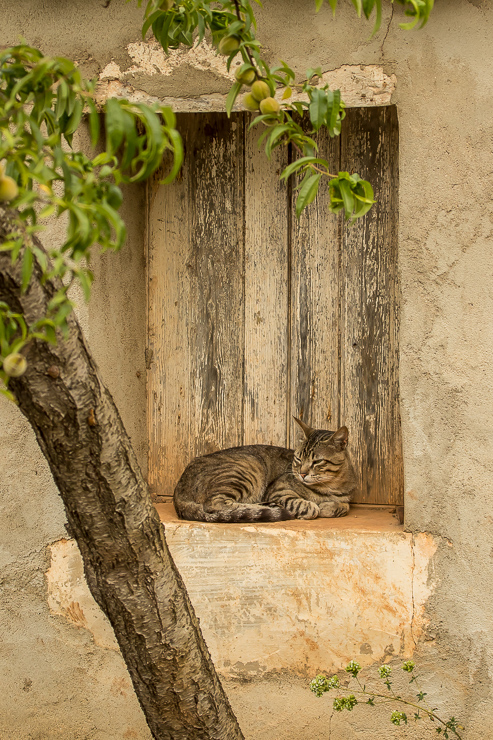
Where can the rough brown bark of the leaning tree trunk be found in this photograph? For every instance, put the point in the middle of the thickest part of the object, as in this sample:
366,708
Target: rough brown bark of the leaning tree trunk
127,564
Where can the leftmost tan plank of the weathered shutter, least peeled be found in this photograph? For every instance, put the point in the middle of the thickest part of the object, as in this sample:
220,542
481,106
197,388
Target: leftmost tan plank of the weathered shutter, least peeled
168,353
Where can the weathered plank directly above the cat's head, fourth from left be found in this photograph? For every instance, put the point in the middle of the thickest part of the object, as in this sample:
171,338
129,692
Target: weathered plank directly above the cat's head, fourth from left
314,320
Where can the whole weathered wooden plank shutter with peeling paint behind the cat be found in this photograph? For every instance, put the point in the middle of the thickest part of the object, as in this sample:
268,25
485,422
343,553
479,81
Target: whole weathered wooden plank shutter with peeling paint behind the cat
255,316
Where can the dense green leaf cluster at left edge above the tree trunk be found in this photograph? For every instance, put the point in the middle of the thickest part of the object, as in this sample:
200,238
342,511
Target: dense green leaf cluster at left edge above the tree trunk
43,101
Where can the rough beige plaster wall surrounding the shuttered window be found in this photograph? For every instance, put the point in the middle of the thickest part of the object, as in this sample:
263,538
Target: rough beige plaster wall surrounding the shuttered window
62,680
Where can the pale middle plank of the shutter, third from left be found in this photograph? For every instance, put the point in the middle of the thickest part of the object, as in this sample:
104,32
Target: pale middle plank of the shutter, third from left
266,296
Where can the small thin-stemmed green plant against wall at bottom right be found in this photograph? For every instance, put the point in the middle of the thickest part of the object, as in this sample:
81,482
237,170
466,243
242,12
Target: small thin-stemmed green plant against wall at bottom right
416,706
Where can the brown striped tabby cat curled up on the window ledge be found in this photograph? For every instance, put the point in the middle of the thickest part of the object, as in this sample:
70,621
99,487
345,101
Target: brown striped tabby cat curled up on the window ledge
262,483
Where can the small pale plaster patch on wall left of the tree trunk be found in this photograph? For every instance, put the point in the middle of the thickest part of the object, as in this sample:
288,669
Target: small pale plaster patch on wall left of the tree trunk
69,595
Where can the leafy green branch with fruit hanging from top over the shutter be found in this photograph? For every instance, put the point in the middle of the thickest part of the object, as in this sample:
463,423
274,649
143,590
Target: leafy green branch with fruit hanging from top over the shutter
232,26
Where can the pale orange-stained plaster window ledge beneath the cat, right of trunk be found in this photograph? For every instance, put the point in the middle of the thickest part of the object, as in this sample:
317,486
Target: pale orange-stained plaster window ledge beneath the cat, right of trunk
304,596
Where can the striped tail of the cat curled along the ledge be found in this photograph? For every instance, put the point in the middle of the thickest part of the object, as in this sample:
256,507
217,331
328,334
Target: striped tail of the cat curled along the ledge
236,512
